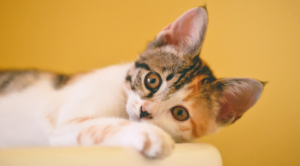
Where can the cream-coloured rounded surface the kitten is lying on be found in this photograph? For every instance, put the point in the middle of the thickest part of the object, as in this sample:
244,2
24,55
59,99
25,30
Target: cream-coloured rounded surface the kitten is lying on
189,154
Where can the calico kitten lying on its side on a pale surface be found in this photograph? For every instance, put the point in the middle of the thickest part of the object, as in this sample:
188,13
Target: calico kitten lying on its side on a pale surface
168,95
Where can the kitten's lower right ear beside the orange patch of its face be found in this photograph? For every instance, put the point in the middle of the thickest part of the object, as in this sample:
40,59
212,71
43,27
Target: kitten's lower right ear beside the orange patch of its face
235,96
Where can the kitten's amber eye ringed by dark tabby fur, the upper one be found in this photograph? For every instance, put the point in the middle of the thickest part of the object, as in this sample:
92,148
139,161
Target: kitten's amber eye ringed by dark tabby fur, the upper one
152,81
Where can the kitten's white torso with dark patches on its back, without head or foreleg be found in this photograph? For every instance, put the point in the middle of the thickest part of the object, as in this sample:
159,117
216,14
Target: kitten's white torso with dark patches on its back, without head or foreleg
46,103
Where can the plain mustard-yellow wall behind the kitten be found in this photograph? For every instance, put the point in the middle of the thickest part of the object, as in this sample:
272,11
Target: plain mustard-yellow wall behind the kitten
245,38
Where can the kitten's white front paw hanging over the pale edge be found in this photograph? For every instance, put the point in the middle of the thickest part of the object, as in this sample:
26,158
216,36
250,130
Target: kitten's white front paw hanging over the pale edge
151,140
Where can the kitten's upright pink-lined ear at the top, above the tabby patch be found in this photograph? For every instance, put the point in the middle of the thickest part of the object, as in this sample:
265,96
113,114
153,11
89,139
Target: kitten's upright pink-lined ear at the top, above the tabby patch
185,34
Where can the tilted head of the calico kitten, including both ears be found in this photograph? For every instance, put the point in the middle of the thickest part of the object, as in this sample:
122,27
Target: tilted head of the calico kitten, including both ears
170,86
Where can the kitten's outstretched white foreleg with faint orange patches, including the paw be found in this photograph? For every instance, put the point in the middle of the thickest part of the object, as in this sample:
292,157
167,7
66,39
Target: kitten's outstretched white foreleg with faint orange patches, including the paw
148,139
